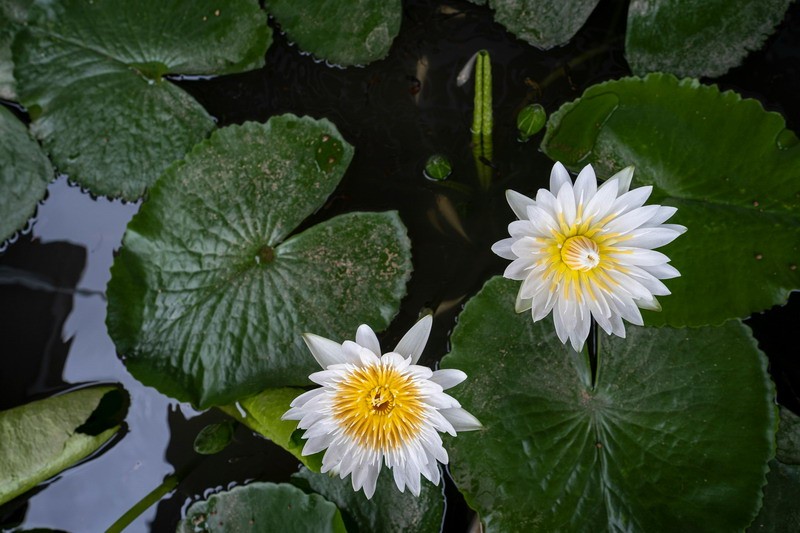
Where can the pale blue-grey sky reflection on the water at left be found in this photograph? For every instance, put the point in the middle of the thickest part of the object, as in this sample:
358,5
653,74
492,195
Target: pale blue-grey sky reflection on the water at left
136,464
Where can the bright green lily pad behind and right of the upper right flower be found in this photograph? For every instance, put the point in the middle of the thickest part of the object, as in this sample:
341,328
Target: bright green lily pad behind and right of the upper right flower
730,168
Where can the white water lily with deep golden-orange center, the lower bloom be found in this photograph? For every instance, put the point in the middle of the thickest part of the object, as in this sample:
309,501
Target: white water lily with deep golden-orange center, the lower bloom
374,409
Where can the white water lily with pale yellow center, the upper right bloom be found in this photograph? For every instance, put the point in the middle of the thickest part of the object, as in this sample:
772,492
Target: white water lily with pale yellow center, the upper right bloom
583,251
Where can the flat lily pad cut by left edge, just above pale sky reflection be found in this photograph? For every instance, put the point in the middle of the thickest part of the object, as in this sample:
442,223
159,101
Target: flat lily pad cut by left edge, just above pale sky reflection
24,174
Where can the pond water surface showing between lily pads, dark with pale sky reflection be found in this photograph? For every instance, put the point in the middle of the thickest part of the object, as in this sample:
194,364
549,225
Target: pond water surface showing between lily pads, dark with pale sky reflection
396,112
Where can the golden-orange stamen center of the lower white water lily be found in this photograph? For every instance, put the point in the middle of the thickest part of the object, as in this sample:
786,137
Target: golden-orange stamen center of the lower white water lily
379,407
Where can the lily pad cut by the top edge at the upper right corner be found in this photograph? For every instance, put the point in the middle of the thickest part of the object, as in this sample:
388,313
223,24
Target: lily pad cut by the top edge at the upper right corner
697,37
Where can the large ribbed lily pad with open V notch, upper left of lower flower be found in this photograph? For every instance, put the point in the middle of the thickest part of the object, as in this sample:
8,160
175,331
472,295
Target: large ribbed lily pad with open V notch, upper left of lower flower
207,301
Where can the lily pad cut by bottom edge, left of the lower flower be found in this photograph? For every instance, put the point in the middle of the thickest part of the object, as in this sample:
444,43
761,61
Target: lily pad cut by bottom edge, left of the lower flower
263,507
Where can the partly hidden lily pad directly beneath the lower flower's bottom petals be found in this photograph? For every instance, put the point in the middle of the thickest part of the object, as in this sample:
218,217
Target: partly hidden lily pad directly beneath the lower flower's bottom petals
389,510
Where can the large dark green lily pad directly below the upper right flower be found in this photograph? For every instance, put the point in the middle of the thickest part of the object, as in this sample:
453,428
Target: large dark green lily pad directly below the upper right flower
676,433
